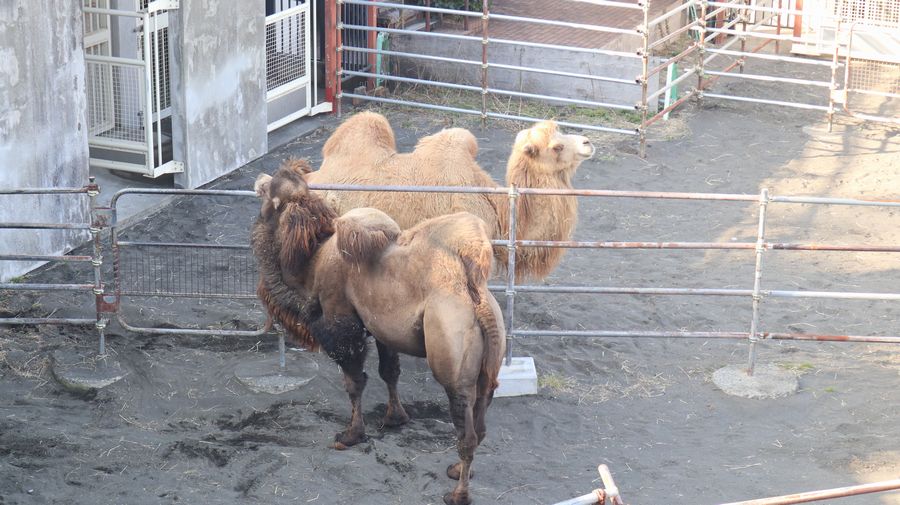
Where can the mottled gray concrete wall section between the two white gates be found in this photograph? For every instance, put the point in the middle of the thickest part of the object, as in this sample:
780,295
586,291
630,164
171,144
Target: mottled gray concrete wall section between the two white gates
220,102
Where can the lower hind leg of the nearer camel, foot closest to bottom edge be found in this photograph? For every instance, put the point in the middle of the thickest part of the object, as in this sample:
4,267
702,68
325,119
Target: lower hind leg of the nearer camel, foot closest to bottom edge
461,410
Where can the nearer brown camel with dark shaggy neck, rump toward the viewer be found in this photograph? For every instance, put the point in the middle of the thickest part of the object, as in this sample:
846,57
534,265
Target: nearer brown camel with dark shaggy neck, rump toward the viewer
421,292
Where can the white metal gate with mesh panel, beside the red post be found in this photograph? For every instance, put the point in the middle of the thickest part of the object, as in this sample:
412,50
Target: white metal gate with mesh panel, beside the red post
291,87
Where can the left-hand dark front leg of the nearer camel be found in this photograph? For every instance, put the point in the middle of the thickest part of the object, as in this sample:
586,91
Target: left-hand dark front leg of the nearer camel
345,343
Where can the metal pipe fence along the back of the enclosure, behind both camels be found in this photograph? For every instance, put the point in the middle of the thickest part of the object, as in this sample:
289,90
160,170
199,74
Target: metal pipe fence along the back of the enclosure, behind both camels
725,36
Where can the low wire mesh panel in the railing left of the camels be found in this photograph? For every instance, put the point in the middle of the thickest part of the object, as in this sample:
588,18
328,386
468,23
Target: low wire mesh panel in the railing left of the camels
193,270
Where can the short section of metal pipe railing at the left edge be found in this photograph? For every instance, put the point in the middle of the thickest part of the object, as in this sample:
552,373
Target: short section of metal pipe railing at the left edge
96,287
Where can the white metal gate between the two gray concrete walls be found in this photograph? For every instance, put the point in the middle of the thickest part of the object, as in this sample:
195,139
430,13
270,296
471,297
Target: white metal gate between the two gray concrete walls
127,85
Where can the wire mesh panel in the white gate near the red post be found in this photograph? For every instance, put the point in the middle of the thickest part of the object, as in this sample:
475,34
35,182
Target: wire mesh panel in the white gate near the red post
286,48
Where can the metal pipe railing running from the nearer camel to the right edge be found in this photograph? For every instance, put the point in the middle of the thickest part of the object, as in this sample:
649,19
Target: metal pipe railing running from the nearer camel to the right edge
756,294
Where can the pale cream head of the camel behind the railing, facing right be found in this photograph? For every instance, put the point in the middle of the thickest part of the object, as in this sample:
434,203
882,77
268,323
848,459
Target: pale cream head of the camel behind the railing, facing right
543,150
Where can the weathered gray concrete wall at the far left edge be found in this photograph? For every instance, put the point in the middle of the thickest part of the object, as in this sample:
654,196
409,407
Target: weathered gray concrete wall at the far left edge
43,133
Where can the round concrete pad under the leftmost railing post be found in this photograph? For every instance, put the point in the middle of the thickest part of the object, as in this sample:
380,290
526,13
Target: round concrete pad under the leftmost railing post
85,370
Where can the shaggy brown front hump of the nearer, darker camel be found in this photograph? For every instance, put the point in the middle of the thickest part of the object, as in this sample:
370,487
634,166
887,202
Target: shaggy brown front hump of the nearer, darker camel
363,233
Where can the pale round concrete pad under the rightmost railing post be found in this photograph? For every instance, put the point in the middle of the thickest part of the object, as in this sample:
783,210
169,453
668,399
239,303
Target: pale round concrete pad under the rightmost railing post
767,381
